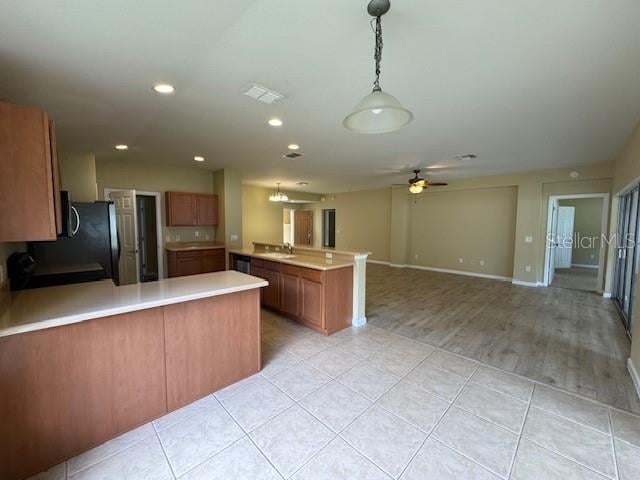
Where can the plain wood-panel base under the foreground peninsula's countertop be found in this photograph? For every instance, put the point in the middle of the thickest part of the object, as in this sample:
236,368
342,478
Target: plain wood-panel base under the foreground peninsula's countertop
67,389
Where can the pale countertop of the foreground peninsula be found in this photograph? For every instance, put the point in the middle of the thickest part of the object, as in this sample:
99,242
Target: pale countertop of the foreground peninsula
30,310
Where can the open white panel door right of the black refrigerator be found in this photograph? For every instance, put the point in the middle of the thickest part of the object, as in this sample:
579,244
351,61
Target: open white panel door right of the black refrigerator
125,202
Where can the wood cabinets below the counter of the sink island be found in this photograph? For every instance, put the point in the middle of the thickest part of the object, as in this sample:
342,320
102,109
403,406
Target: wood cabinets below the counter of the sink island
319,299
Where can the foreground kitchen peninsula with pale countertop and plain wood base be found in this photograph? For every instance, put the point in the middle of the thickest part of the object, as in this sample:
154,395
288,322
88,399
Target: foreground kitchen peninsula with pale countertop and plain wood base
81,364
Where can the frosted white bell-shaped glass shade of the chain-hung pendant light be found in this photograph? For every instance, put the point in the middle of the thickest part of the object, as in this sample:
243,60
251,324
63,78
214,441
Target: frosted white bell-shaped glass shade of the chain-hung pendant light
378,112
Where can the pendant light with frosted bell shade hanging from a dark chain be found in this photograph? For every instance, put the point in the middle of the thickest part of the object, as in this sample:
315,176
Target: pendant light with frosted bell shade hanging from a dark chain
378,112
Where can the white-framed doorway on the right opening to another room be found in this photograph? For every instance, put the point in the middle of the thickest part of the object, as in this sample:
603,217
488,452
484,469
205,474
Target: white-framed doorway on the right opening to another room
575,246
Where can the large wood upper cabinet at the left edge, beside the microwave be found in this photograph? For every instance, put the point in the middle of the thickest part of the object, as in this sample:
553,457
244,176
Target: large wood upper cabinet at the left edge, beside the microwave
29,182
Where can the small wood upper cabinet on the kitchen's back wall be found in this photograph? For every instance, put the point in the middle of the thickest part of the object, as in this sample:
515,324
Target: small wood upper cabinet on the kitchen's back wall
191,209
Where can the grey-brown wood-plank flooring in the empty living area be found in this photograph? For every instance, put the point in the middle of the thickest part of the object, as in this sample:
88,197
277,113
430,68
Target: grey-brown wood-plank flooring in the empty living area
570,339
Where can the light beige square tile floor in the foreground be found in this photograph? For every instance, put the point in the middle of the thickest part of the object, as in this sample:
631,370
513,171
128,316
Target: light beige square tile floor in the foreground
367,404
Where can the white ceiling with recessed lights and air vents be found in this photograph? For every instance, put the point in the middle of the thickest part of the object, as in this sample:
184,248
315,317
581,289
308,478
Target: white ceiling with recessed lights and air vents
523,84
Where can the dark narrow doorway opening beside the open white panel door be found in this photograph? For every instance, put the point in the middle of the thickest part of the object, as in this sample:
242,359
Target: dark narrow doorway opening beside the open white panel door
147,238
